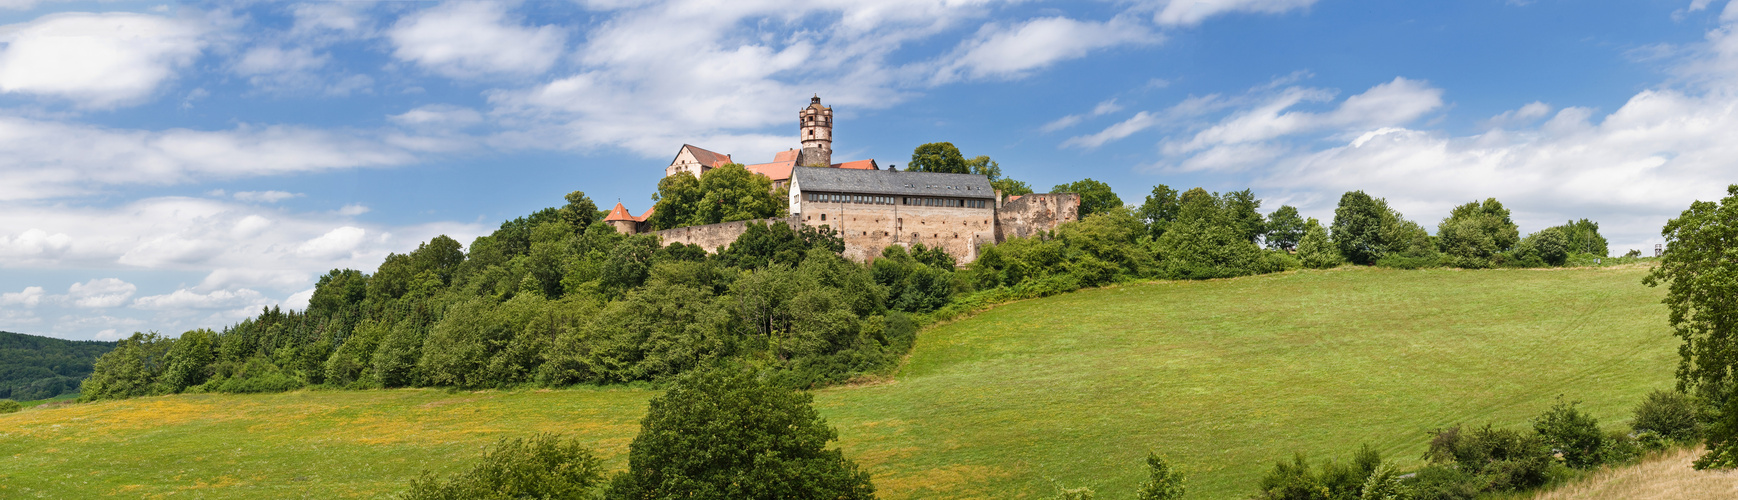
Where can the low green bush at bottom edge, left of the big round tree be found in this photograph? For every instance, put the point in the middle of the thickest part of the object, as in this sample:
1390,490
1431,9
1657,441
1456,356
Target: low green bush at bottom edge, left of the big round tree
543,466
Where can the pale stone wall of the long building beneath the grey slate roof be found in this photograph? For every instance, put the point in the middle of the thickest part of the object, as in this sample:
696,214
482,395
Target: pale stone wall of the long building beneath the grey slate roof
870,228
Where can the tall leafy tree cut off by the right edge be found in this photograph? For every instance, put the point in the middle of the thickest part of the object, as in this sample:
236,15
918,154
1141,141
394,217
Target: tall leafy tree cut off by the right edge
1701,273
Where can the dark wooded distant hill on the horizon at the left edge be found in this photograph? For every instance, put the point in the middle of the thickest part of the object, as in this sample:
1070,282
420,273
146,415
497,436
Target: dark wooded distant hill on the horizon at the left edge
39,367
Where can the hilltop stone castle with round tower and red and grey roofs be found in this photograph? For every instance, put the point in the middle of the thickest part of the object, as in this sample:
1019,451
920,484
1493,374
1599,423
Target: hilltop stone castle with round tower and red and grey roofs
870,207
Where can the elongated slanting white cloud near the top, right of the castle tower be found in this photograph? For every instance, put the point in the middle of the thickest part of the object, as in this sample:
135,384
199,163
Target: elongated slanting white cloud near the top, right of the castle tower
1016,51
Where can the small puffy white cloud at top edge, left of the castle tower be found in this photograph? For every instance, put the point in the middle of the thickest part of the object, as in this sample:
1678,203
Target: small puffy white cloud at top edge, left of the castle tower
472,39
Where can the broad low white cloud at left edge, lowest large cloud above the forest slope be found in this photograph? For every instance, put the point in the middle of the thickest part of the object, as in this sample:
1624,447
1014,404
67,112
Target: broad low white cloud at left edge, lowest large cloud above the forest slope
241,246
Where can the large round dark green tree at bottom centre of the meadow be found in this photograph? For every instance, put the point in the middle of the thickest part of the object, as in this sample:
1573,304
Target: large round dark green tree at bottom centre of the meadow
727,435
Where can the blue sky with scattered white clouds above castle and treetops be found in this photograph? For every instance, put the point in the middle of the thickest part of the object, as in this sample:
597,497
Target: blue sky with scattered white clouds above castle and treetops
182,166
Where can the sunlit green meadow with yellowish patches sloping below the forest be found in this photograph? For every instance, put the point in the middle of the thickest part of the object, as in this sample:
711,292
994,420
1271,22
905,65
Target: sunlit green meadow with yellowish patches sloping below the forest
1224,378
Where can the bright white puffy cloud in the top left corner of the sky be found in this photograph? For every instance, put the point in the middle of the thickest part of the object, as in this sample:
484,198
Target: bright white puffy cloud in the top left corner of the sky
96,60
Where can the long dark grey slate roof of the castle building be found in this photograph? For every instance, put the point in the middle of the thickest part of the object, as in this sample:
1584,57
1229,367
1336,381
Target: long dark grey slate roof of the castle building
823,180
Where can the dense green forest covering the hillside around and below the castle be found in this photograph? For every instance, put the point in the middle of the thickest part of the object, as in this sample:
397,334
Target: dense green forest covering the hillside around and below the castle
557,298
